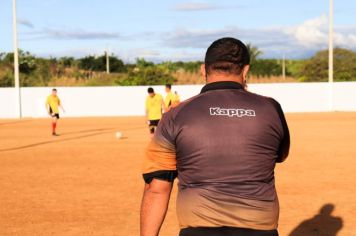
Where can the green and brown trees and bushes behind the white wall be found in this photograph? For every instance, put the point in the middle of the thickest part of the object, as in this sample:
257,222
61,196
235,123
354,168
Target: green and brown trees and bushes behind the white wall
90,70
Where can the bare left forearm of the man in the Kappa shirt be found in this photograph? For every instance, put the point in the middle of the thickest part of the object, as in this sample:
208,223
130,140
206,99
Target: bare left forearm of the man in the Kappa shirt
154,206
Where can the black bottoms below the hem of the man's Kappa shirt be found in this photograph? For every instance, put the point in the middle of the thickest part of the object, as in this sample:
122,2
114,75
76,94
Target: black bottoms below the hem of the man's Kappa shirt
225,231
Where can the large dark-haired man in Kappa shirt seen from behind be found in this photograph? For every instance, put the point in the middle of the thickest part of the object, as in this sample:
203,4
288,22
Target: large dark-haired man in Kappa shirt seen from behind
223,144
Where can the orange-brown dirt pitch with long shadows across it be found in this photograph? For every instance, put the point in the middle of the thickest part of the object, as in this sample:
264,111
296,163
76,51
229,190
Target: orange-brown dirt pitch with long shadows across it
87,182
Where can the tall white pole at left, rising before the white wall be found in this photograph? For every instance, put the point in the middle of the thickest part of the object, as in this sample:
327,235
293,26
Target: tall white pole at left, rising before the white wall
16,61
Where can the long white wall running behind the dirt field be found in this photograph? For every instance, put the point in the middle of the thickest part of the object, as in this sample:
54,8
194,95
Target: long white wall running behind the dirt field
129,101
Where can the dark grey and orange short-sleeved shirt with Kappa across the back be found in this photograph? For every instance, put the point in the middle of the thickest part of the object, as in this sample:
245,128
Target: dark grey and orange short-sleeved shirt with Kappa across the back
223,144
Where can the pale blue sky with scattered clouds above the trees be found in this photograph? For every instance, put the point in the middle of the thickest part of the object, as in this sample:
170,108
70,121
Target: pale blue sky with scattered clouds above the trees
174,30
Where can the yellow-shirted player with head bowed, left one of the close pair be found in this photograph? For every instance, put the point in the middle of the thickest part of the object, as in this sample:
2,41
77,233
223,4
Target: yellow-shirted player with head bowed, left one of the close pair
154,105
